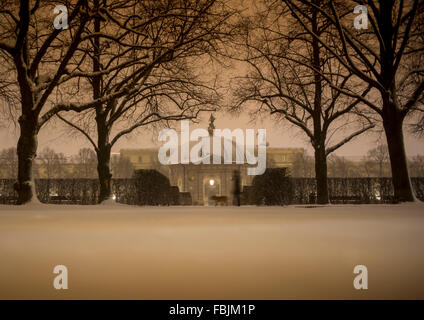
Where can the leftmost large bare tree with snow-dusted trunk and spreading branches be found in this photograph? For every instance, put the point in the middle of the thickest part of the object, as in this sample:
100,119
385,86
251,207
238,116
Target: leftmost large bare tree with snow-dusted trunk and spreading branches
39,60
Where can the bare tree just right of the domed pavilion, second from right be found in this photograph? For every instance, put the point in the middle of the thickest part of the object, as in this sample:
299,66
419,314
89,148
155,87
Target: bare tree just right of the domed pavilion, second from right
292,77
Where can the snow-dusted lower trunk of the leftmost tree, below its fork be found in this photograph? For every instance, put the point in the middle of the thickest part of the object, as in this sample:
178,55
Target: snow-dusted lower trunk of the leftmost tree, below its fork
27,151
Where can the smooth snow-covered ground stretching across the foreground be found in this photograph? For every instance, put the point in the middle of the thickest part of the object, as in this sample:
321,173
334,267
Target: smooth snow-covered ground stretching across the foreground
212,253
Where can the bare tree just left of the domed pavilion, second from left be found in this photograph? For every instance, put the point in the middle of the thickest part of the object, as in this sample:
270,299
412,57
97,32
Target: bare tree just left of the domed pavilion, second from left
156,44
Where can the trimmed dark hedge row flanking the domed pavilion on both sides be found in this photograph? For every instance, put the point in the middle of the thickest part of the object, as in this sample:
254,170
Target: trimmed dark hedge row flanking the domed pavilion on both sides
273,188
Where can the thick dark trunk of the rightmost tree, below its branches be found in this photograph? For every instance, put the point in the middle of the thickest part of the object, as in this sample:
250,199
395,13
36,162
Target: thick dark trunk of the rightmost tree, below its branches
393,121
